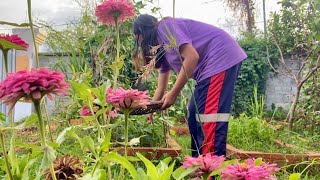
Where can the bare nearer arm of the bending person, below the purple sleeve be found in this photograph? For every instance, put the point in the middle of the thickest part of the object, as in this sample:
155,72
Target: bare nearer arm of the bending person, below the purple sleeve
191,58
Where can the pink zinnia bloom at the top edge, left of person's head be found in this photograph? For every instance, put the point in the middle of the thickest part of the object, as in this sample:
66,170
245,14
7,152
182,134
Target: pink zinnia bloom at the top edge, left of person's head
112,11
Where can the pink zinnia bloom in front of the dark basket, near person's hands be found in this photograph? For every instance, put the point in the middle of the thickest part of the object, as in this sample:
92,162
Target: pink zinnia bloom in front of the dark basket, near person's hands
127,99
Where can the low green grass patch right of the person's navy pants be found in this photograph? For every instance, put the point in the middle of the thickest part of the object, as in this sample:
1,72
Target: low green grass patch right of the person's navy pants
254,134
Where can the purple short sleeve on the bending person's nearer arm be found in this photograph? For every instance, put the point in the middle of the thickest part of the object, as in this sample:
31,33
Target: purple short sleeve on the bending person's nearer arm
175,28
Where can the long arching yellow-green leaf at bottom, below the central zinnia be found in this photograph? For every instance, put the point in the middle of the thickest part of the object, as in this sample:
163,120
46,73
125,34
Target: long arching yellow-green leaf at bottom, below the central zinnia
114,157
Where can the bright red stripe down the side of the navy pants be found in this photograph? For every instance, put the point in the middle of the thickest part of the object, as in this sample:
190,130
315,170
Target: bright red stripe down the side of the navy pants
211,107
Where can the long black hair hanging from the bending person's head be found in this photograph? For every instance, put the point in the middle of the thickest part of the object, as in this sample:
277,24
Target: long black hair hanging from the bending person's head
146,26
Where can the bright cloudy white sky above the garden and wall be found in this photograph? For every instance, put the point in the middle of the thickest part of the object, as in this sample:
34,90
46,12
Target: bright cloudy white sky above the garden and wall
62,11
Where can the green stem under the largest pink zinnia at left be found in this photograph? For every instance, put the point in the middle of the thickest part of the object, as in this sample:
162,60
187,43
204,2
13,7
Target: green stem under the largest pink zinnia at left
42,133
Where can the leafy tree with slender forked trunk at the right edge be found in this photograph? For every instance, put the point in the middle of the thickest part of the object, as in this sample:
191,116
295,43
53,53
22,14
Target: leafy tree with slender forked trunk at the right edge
295,32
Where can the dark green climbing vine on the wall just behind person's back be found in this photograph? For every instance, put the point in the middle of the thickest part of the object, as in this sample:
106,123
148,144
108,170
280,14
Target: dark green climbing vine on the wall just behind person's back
253,72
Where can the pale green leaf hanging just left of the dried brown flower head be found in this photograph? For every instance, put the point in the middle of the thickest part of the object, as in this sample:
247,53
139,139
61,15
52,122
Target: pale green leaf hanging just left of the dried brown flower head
48,157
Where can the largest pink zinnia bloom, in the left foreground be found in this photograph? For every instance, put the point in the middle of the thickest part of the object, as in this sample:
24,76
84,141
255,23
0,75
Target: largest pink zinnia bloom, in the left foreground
32,85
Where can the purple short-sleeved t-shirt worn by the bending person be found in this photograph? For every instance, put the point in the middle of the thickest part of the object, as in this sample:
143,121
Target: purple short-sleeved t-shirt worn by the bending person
217,50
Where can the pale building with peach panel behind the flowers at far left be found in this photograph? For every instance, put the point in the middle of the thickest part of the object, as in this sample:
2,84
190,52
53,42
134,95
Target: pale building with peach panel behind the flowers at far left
22,60
